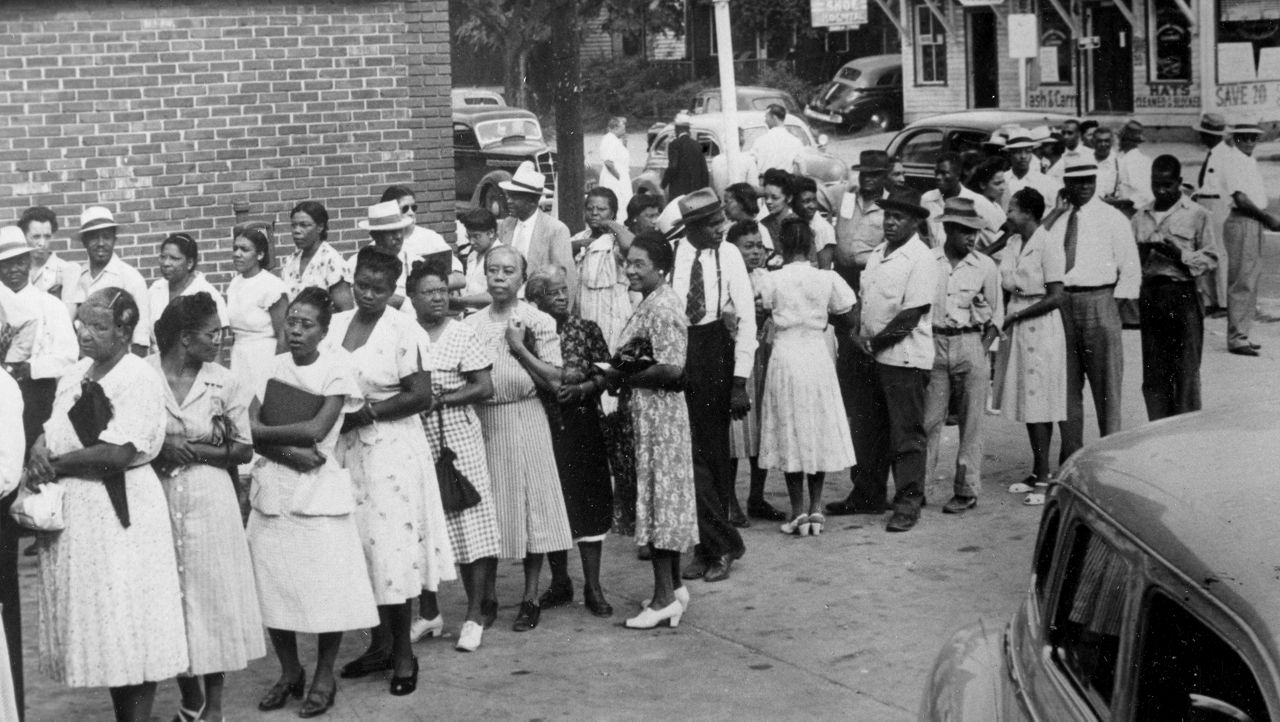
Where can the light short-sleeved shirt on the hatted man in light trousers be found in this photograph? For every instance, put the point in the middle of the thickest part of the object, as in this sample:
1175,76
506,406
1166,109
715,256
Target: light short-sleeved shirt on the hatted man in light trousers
968,294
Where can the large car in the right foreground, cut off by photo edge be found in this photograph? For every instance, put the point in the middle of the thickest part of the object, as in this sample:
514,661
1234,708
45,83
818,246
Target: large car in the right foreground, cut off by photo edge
1155,587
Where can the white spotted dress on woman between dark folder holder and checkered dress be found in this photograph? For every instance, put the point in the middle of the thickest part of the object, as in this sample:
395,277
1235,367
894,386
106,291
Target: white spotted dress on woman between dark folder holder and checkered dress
397,497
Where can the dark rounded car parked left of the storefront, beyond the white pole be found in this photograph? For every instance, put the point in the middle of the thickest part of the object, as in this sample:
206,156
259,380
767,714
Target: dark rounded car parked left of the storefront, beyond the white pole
866,93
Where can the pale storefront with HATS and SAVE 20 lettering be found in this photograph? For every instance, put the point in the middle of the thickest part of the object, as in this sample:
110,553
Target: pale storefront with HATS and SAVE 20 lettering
1159,61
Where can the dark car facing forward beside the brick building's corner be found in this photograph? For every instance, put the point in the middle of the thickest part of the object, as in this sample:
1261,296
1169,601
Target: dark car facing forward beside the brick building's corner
490,143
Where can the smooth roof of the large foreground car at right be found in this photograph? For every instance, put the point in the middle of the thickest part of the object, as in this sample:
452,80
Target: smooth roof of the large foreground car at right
1200,490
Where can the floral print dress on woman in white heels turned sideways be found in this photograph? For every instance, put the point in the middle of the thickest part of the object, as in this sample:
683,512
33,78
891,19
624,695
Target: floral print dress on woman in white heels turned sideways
660,510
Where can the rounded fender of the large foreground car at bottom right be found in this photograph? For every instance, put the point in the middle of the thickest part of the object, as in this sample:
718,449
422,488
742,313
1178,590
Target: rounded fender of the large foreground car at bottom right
968,682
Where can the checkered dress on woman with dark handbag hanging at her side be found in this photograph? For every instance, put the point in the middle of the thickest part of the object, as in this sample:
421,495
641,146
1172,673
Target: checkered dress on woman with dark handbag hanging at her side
474,532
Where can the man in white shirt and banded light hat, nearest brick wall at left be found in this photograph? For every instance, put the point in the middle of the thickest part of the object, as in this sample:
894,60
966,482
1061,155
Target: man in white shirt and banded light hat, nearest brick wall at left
108,271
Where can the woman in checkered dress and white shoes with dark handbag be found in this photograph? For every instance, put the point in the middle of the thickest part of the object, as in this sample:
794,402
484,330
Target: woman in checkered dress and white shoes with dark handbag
460,377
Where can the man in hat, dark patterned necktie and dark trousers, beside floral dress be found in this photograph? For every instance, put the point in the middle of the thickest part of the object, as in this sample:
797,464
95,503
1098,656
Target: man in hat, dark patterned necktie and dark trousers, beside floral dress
721,307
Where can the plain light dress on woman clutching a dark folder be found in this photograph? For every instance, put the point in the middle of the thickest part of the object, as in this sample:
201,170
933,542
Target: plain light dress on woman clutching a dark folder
303,536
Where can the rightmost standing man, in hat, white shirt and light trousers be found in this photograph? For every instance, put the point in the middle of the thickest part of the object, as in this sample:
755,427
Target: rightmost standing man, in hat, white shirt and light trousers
1242,235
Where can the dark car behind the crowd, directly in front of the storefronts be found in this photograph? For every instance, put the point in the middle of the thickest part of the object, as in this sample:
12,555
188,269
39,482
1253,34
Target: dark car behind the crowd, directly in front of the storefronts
921,144
